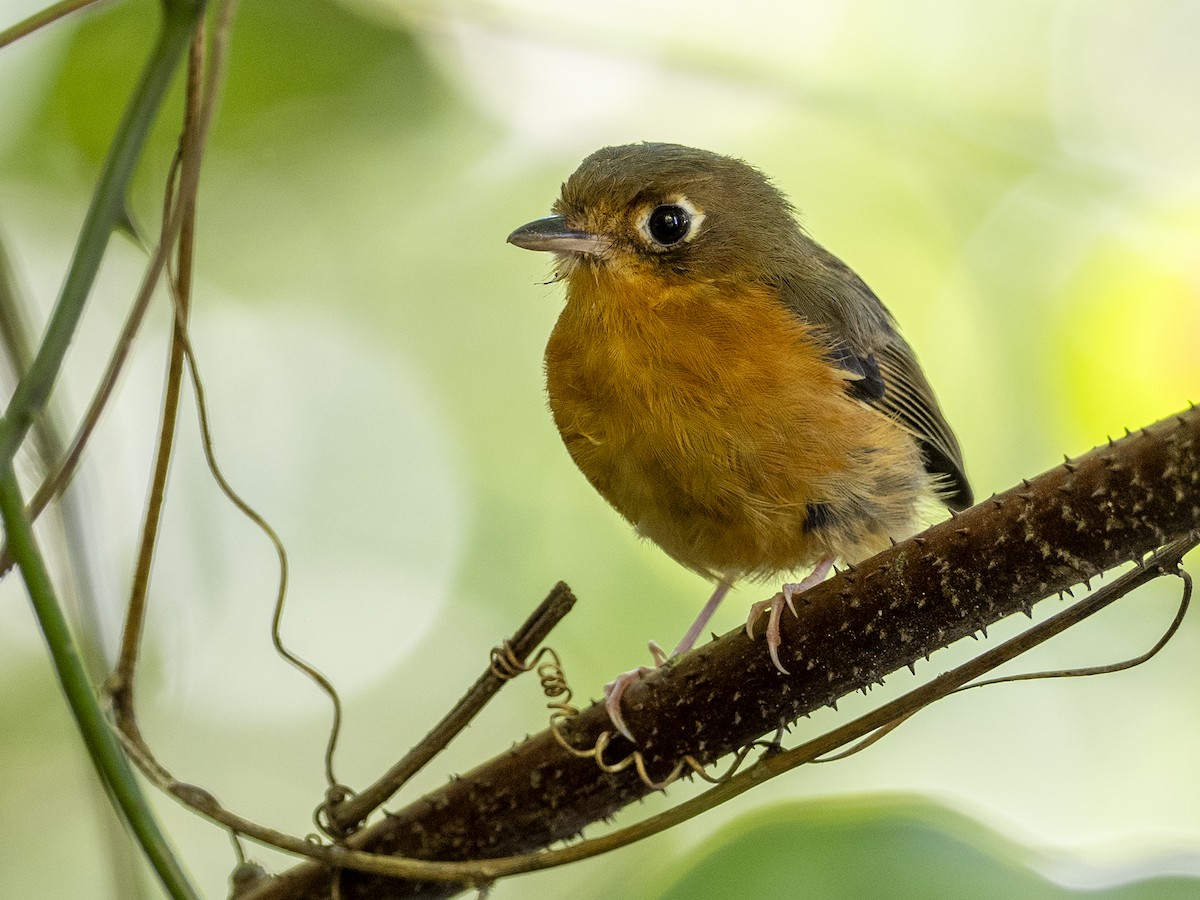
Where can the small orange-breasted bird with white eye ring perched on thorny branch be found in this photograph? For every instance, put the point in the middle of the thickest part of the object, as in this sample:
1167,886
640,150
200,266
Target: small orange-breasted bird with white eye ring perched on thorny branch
730,387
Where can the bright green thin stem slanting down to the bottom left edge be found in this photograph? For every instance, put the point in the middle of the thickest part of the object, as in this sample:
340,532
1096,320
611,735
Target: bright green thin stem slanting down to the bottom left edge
106,753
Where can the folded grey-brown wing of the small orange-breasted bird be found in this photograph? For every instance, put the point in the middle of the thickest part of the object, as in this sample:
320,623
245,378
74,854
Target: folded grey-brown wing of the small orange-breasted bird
866,343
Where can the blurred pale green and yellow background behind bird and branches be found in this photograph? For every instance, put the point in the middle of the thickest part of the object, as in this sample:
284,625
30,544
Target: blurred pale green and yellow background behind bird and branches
1019,182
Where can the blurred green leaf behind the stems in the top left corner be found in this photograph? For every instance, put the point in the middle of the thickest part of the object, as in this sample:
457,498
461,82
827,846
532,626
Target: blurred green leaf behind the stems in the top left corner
322,63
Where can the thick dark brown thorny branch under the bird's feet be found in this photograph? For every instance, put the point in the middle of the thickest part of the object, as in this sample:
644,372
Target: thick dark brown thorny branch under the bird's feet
1114,505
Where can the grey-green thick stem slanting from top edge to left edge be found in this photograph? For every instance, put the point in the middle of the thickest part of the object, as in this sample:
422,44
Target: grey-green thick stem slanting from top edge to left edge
105,213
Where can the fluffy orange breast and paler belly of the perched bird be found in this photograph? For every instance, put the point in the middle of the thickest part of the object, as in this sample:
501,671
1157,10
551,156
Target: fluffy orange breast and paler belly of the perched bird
709,418
